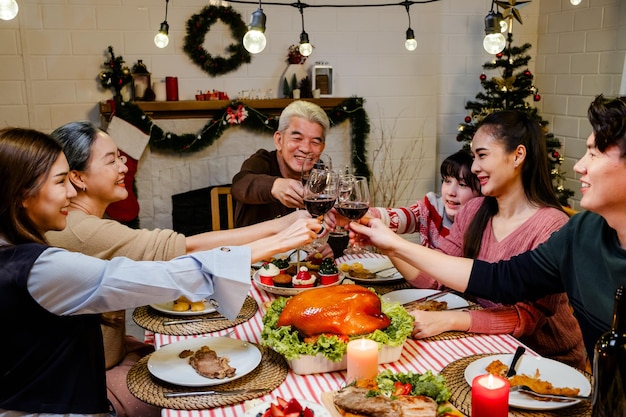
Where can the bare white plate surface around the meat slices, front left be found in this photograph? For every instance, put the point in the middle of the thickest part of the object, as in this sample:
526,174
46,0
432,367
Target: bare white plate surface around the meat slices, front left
167,366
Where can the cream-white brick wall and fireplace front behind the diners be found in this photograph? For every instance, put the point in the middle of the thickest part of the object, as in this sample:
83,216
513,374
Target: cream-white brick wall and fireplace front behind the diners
52,54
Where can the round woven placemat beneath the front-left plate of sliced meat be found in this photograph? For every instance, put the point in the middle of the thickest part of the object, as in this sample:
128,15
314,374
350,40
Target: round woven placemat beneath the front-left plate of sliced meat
270,373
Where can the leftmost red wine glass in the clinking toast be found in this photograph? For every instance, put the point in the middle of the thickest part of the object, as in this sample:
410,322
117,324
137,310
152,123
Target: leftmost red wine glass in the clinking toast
320,194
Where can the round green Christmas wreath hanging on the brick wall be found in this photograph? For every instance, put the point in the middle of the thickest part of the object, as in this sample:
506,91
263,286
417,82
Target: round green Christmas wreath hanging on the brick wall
197,28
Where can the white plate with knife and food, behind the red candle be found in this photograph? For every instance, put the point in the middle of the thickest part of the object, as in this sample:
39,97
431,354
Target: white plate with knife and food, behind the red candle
557,373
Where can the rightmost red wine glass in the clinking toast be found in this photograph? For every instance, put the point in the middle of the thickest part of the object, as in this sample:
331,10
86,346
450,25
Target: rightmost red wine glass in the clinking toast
353,202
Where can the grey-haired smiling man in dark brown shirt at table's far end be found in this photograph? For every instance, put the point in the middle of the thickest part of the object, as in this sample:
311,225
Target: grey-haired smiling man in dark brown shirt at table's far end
269,182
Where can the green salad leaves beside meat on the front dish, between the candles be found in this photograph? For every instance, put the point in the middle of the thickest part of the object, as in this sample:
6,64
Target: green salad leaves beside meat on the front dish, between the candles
428,384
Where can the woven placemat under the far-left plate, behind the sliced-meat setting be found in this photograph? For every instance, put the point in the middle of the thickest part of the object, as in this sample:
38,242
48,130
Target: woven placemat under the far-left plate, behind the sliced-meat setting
151,319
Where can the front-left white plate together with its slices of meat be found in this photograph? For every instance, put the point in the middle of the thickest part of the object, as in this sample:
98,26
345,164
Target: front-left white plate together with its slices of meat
204,361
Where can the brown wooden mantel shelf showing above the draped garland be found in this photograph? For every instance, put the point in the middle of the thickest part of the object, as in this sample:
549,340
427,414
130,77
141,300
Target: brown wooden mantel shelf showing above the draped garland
192,109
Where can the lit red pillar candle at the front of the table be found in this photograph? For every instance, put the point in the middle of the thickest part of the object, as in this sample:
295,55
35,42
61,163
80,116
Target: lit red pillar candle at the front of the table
490,396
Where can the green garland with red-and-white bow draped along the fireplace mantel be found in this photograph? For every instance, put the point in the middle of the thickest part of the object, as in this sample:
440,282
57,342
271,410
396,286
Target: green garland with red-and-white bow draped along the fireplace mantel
238,114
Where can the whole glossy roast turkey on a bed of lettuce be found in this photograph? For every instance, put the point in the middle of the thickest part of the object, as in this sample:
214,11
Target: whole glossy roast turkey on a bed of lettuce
340,310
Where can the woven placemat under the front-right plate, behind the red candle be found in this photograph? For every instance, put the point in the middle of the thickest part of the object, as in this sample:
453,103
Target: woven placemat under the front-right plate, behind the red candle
462,394
